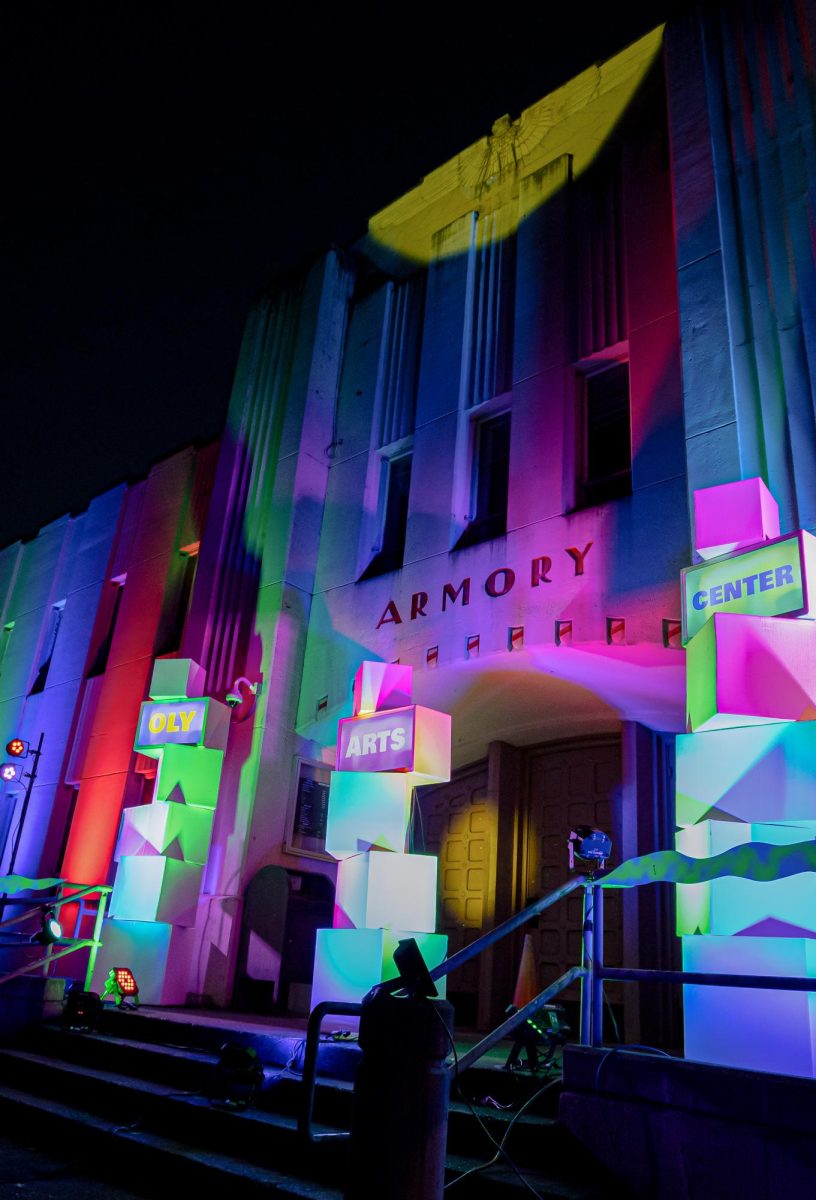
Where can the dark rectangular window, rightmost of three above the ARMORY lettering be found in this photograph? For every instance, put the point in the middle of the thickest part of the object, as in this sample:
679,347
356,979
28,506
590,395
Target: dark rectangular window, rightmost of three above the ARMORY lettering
605,442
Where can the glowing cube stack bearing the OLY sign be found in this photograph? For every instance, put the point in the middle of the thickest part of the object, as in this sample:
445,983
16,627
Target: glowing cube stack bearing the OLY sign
164,845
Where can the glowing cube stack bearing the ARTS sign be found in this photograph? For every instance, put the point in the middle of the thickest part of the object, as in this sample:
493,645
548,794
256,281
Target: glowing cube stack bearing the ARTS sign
385,751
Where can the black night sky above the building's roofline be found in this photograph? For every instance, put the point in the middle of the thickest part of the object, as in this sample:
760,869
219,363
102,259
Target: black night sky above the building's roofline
166,161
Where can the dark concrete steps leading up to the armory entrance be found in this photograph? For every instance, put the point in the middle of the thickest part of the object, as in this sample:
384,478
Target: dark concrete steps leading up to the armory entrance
130,1100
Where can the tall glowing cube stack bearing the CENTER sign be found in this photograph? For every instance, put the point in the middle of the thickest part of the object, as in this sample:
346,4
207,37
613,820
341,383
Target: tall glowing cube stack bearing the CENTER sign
747,773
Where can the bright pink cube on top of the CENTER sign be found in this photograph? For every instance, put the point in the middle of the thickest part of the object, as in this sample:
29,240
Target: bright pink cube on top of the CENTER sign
734,517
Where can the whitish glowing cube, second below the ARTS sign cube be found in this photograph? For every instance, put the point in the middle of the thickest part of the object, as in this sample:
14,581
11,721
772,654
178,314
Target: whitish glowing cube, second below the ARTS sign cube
381,890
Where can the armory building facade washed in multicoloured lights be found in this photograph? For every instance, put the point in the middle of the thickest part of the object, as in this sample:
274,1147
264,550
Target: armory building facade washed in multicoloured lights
466,443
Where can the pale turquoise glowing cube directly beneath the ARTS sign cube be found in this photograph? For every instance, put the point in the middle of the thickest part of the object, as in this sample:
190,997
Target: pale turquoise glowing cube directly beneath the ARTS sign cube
368,811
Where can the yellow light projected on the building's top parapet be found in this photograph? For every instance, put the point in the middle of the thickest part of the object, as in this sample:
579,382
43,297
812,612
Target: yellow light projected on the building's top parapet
520,165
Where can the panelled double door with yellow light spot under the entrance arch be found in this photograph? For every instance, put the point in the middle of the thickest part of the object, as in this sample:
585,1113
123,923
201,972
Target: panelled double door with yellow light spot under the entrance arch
501,831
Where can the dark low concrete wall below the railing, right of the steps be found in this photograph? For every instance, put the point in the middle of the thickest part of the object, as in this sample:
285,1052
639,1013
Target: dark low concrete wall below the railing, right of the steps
686,1131
